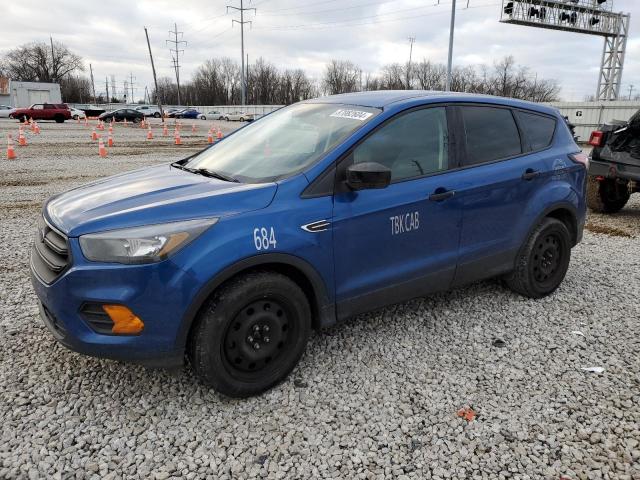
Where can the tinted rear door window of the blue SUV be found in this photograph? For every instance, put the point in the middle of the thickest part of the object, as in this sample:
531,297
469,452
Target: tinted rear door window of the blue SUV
491,134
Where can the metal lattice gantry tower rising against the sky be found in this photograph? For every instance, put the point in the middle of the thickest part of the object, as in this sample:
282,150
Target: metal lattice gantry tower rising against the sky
591,17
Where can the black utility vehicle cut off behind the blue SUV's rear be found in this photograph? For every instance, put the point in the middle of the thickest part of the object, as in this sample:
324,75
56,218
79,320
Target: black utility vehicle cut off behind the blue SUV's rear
614,171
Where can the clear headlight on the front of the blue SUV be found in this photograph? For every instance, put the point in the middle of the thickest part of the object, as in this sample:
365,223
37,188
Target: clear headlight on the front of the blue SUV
148,244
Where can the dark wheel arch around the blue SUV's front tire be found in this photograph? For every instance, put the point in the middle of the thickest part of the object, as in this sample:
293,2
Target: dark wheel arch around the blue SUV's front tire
297,269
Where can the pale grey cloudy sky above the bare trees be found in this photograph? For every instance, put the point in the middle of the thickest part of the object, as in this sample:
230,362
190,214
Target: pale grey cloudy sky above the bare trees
294,33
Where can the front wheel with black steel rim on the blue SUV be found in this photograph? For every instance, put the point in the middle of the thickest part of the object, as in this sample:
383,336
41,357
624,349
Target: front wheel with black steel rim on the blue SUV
221,351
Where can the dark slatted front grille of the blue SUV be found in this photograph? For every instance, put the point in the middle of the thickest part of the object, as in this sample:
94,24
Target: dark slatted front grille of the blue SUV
50,253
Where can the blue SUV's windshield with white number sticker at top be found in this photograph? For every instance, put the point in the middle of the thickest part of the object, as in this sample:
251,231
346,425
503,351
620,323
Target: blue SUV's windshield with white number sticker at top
283,142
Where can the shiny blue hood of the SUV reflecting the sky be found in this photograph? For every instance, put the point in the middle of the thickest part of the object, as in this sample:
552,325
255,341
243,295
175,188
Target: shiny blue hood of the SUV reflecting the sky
152,195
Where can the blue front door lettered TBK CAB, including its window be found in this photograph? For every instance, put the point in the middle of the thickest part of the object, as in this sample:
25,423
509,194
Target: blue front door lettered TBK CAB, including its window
399,242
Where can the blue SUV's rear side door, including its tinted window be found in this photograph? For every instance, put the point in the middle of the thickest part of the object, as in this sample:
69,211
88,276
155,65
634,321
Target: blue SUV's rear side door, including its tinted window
502,173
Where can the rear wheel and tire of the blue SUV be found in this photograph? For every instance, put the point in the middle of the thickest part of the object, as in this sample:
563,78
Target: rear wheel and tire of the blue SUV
543,260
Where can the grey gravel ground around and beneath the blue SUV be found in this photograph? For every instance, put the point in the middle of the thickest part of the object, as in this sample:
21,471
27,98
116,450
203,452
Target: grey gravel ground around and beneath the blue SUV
374,397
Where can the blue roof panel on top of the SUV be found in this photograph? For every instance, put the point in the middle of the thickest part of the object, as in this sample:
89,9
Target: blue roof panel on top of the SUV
384,98
